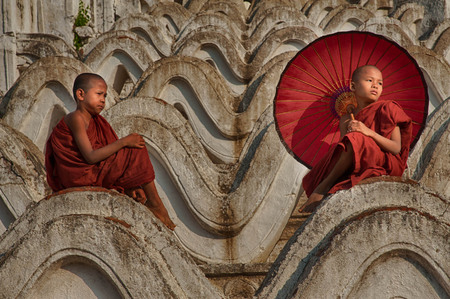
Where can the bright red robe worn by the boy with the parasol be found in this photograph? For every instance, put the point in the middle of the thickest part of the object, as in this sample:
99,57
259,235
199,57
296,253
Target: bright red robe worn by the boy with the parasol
369,159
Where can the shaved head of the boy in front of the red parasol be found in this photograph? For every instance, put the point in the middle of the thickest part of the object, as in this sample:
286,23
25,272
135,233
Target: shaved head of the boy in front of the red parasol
368,86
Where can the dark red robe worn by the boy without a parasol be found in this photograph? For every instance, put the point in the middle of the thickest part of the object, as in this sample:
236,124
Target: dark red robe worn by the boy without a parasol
66,167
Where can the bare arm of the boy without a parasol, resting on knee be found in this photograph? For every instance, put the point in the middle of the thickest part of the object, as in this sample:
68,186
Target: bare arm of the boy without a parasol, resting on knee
76,125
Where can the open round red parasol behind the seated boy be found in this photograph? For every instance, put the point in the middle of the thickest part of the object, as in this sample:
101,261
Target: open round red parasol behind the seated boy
305,111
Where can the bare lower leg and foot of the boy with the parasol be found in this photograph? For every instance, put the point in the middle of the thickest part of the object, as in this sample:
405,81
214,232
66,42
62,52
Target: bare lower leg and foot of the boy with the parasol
345,161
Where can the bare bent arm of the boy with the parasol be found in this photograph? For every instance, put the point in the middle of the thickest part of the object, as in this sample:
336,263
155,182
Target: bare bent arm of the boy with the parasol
392,145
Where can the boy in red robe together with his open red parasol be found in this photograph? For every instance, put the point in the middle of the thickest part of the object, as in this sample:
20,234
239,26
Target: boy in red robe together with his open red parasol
386,90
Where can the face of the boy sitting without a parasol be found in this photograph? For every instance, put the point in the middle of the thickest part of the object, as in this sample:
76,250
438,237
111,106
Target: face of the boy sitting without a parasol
93,100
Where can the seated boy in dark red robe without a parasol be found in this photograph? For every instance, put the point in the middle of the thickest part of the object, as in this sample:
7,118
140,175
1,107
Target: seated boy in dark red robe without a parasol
84,150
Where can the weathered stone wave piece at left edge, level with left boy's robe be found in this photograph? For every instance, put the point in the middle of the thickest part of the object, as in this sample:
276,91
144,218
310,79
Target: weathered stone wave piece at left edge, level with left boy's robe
23,177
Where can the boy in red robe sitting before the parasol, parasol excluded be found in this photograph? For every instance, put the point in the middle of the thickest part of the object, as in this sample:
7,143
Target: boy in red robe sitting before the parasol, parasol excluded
375,143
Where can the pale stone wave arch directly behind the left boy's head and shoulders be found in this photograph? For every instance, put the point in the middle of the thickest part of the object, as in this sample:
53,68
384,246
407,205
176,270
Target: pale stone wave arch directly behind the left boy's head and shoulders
42,96
